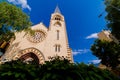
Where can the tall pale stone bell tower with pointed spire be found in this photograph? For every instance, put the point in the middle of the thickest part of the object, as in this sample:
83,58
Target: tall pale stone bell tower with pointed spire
58,36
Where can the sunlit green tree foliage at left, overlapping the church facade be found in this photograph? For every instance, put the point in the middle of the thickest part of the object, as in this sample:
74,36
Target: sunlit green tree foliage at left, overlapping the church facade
12,19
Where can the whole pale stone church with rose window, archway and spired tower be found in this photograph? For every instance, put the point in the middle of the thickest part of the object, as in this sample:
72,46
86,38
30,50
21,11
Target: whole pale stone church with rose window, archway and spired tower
45,43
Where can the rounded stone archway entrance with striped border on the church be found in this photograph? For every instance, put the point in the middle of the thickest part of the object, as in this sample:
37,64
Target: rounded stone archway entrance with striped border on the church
31,55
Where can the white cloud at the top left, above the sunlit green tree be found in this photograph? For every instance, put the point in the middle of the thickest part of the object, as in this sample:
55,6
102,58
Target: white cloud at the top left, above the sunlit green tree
23,3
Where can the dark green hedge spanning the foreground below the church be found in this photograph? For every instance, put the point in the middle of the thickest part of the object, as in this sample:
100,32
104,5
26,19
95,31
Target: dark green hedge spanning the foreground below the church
55,69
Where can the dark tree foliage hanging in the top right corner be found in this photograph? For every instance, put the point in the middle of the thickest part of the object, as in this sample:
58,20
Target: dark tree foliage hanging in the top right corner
113,16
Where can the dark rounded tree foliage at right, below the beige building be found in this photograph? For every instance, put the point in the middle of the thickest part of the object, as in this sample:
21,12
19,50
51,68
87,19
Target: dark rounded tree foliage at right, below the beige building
108,52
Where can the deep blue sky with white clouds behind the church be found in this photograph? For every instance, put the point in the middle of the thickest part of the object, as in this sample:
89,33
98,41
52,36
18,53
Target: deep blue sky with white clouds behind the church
81,18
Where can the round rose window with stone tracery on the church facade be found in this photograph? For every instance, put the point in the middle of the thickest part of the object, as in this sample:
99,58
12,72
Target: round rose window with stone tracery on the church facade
37,37
